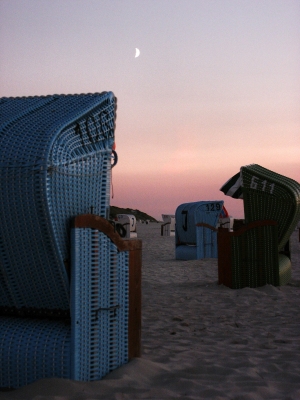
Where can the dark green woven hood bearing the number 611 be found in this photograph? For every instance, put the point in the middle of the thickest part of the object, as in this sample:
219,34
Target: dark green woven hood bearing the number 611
268,195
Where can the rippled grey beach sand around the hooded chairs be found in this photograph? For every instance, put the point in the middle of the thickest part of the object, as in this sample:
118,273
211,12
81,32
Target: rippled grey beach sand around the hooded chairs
200,340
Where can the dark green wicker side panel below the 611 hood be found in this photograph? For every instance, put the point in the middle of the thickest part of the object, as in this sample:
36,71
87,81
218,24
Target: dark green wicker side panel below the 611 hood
255,257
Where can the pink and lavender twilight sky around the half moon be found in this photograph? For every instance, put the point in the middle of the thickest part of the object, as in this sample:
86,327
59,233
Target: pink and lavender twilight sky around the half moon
216,86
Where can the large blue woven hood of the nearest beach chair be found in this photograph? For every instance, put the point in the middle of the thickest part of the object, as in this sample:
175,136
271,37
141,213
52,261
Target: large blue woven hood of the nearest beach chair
54,164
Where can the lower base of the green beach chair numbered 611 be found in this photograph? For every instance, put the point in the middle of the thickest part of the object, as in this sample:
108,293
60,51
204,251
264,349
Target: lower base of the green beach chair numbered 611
249,257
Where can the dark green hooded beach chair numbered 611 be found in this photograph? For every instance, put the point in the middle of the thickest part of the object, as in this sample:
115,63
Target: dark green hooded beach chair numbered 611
258,253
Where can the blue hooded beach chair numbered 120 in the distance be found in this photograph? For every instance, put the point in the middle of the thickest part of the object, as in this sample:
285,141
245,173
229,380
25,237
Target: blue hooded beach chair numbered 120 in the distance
196,230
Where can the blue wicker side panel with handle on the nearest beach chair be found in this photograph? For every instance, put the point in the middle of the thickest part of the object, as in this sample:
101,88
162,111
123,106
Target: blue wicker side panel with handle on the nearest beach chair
99,305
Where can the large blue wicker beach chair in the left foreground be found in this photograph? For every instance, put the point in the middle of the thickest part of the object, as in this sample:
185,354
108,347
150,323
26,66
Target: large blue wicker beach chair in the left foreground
67,301
